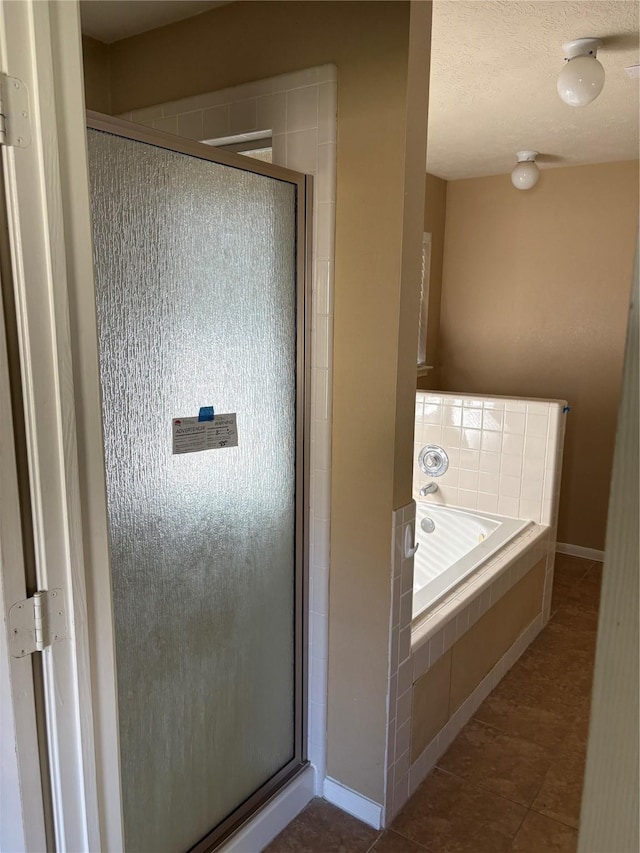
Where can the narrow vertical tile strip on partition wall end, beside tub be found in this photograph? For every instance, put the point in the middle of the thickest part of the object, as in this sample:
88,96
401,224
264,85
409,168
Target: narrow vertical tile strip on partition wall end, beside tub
400,664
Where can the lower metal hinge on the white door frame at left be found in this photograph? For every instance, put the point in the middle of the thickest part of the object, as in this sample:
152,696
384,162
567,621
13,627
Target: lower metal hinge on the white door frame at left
37,622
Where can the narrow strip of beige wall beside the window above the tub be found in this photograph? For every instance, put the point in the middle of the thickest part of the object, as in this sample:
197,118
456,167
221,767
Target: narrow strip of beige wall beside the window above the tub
435,209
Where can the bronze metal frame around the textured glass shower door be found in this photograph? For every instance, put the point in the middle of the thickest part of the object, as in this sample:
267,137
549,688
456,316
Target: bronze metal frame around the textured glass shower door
304,207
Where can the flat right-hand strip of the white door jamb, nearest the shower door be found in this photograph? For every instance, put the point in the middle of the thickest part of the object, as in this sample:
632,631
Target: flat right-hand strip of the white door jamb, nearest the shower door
107,823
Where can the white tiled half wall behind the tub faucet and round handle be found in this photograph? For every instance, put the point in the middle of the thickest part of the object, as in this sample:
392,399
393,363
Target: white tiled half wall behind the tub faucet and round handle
504,454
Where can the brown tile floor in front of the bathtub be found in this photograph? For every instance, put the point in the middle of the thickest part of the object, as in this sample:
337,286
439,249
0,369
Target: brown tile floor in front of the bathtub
512,779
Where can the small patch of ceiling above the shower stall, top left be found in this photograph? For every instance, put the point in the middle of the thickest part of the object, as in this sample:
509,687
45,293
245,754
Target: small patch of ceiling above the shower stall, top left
111,20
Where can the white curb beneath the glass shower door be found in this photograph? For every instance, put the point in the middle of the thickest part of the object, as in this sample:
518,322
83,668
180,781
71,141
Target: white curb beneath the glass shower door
272,819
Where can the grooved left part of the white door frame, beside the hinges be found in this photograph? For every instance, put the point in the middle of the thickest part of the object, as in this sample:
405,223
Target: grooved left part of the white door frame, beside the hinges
42,48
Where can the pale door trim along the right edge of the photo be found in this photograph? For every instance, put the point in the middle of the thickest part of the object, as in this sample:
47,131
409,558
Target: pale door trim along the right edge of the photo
609,813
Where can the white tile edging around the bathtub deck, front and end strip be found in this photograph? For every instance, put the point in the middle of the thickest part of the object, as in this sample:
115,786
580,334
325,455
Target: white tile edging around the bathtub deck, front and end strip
414,649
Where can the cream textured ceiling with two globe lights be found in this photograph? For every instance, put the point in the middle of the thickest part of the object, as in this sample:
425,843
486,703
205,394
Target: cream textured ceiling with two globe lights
494,67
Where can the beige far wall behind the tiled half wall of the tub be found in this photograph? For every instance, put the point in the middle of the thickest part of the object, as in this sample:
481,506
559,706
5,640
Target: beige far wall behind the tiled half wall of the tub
534,303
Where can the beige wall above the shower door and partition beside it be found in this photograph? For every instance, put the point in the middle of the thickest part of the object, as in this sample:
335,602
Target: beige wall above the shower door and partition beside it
378,155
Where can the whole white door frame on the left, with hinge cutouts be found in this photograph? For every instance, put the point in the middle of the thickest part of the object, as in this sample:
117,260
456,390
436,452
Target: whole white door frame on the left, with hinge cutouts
48,209
